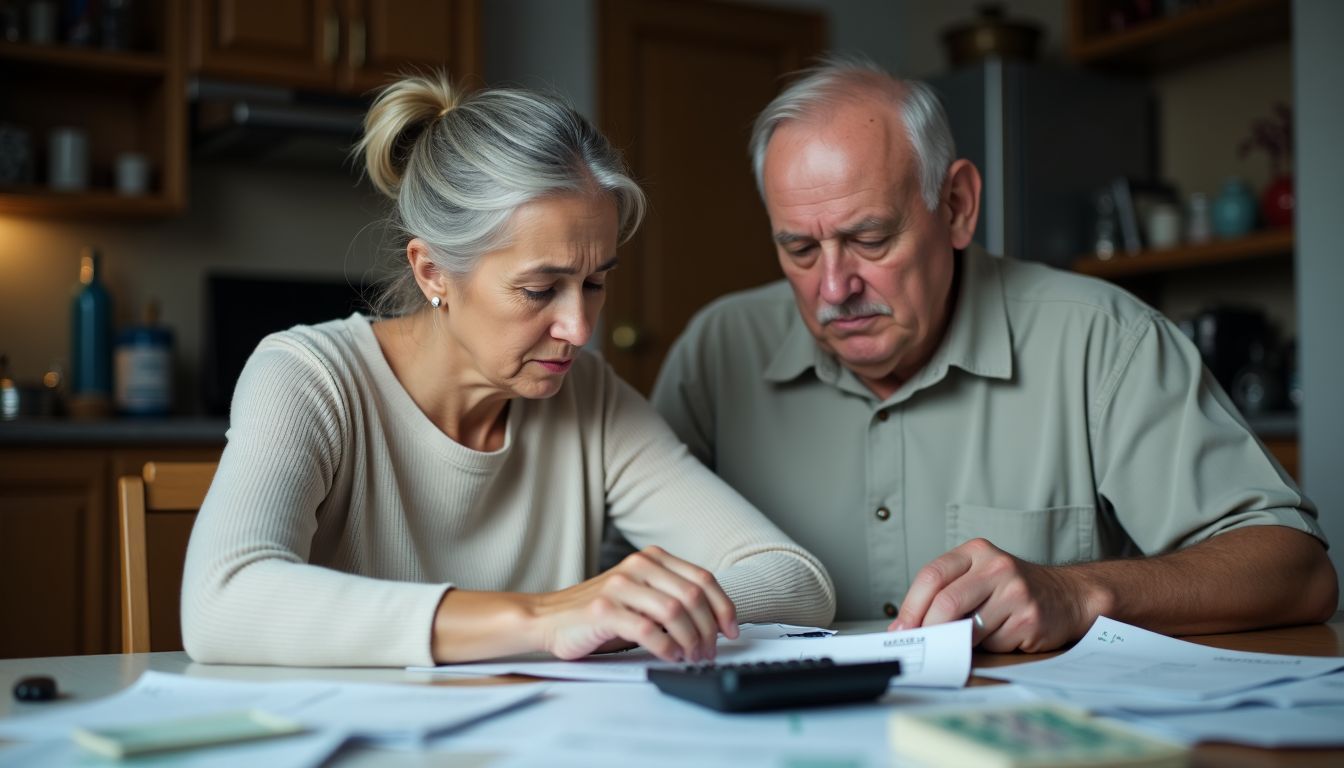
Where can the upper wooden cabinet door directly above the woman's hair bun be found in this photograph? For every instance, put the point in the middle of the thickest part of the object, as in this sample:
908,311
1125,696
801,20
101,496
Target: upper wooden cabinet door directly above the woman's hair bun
392,37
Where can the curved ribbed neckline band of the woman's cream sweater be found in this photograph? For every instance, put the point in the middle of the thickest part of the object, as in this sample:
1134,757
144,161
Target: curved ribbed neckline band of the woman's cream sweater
409,415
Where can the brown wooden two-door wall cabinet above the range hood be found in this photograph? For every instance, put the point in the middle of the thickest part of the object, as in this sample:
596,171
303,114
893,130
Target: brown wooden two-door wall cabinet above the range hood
334,45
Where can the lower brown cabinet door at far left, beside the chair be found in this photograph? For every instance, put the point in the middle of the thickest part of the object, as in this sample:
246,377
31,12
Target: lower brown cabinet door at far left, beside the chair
53,584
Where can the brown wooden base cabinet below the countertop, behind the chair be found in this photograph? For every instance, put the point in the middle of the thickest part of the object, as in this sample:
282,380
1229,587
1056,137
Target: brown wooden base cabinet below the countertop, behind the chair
60,559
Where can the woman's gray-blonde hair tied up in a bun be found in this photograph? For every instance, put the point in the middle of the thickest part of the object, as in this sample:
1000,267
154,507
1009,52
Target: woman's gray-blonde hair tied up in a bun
459,166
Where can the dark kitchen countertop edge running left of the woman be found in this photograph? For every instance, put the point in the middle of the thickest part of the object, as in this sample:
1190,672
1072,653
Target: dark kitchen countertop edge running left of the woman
123,432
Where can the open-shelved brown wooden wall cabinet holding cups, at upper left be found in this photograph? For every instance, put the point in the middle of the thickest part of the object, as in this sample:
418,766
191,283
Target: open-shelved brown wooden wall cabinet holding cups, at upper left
122,100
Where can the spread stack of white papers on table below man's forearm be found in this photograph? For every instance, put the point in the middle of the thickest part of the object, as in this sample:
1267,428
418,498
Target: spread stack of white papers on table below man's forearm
1190,692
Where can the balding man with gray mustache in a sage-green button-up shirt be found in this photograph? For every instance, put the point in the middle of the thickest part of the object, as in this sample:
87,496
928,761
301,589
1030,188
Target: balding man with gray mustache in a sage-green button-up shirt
962,435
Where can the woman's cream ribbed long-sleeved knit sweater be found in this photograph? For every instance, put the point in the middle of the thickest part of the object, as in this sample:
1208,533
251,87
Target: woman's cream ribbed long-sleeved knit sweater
341,514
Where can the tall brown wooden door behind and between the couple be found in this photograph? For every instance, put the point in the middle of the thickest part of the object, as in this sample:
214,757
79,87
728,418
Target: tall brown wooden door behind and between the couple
681,84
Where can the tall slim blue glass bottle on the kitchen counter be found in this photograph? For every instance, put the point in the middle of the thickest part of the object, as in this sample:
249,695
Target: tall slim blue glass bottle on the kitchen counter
91,334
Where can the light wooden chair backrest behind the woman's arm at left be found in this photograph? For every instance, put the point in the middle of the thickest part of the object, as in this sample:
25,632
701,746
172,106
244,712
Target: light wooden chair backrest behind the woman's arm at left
162,488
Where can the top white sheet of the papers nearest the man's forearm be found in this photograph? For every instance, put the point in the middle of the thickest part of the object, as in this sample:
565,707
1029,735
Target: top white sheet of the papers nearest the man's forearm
1122,660
